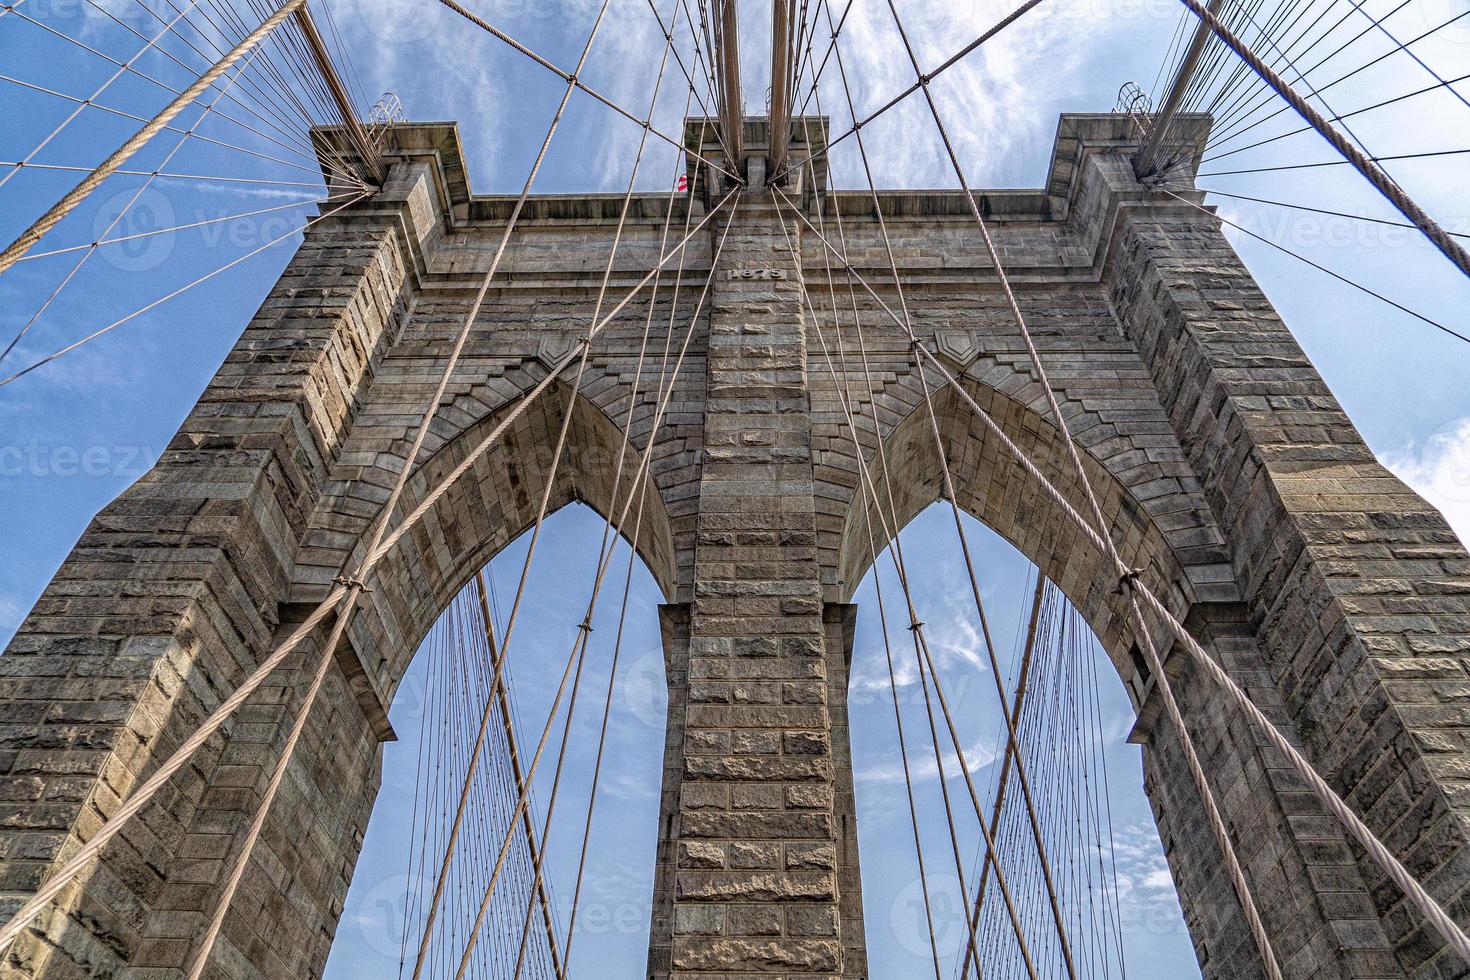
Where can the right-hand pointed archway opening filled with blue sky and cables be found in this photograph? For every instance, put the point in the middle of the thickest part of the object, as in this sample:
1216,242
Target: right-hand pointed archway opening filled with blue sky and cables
1109,872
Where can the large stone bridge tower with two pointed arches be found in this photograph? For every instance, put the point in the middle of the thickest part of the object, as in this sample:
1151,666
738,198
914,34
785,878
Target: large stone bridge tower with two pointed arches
1231,475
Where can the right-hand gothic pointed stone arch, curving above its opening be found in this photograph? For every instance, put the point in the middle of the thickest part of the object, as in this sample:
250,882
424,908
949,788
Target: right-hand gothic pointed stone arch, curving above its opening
1158,519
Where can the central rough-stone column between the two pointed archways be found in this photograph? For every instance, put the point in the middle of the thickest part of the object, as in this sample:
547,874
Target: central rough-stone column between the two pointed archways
758,790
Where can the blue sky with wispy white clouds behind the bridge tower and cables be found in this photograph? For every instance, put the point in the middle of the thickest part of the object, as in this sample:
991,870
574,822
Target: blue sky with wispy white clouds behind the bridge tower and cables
76,433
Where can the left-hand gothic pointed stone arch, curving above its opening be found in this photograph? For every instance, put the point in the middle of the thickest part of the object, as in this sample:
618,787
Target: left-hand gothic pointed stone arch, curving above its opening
490,506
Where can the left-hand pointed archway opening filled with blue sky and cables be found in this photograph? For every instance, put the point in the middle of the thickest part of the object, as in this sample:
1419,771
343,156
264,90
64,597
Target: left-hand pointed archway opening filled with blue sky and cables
437,713
